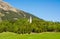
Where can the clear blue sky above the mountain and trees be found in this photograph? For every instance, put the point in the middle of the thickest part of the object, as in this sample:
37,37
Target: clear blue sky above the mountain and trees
45,9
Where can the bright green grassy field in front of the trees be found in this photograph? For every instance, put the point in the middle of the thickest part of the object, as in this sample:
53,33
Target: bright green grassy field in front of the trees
49,35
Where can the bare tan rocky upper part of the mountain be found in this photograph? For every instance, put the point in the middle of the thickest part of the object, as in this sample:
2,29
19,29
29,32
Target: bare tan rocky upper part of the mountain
5,6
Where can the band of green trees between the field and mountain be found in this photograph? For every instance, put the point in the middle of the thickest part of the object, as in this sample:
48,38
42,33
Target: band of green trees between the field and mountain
22,26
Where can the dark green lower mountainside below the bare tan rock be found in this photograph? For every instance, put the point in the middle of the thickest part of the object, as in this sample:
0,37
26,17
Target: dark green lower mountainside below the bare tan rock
10,15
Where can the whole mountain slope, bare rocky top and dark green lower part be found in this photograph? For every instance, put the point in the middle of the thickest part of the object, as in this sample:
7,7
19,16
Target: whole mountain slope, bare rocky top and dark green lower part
7,12
